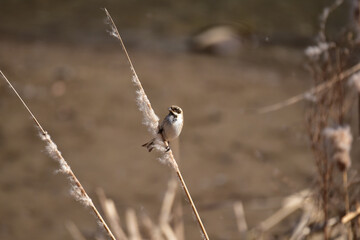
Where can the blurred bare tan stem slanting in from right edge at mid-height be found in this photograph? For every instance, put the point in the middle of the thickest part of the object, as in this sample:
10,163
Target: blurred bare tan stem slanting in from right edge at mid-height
321,87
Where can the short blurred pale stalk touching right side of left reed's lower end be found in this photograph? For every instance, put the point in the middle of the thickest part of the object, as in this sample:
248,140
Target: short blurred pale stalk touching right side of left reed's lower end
111,214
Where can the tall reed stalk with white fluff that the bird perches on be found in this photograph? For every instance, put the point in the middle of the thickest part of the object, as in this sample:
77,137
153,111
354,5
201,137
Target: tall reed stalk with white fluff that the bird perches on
152,121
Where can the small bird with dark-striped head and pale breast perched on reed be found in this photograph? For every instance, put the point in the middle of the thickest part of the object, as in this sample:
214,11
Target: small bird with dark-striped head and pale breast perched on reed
170,128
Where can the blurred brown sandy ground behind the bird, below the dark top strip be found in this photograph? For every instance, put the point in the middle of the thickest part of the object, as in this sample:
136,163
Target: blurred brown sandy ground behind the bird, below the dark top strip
84,97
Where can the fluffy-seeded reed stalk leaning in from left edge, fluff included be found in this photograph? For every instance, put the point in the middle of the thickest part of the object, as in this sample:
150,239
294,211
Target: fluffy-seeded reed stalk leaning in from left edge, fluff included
77,190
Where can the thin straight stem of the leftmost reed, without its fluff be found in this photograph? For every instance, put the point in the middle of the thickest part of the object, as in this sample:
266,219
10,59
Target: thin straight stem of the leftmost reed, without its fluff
69,172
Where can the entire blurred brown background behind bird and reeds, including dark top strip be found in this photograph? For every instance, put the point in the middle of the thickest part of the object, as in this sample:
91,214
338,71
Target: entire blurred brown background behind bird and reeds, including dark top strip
212,58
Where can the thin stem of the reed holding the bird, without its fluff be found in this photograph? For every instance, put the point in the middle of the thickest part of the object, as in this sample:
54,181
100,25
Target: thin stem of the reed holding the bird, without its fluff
170,156
